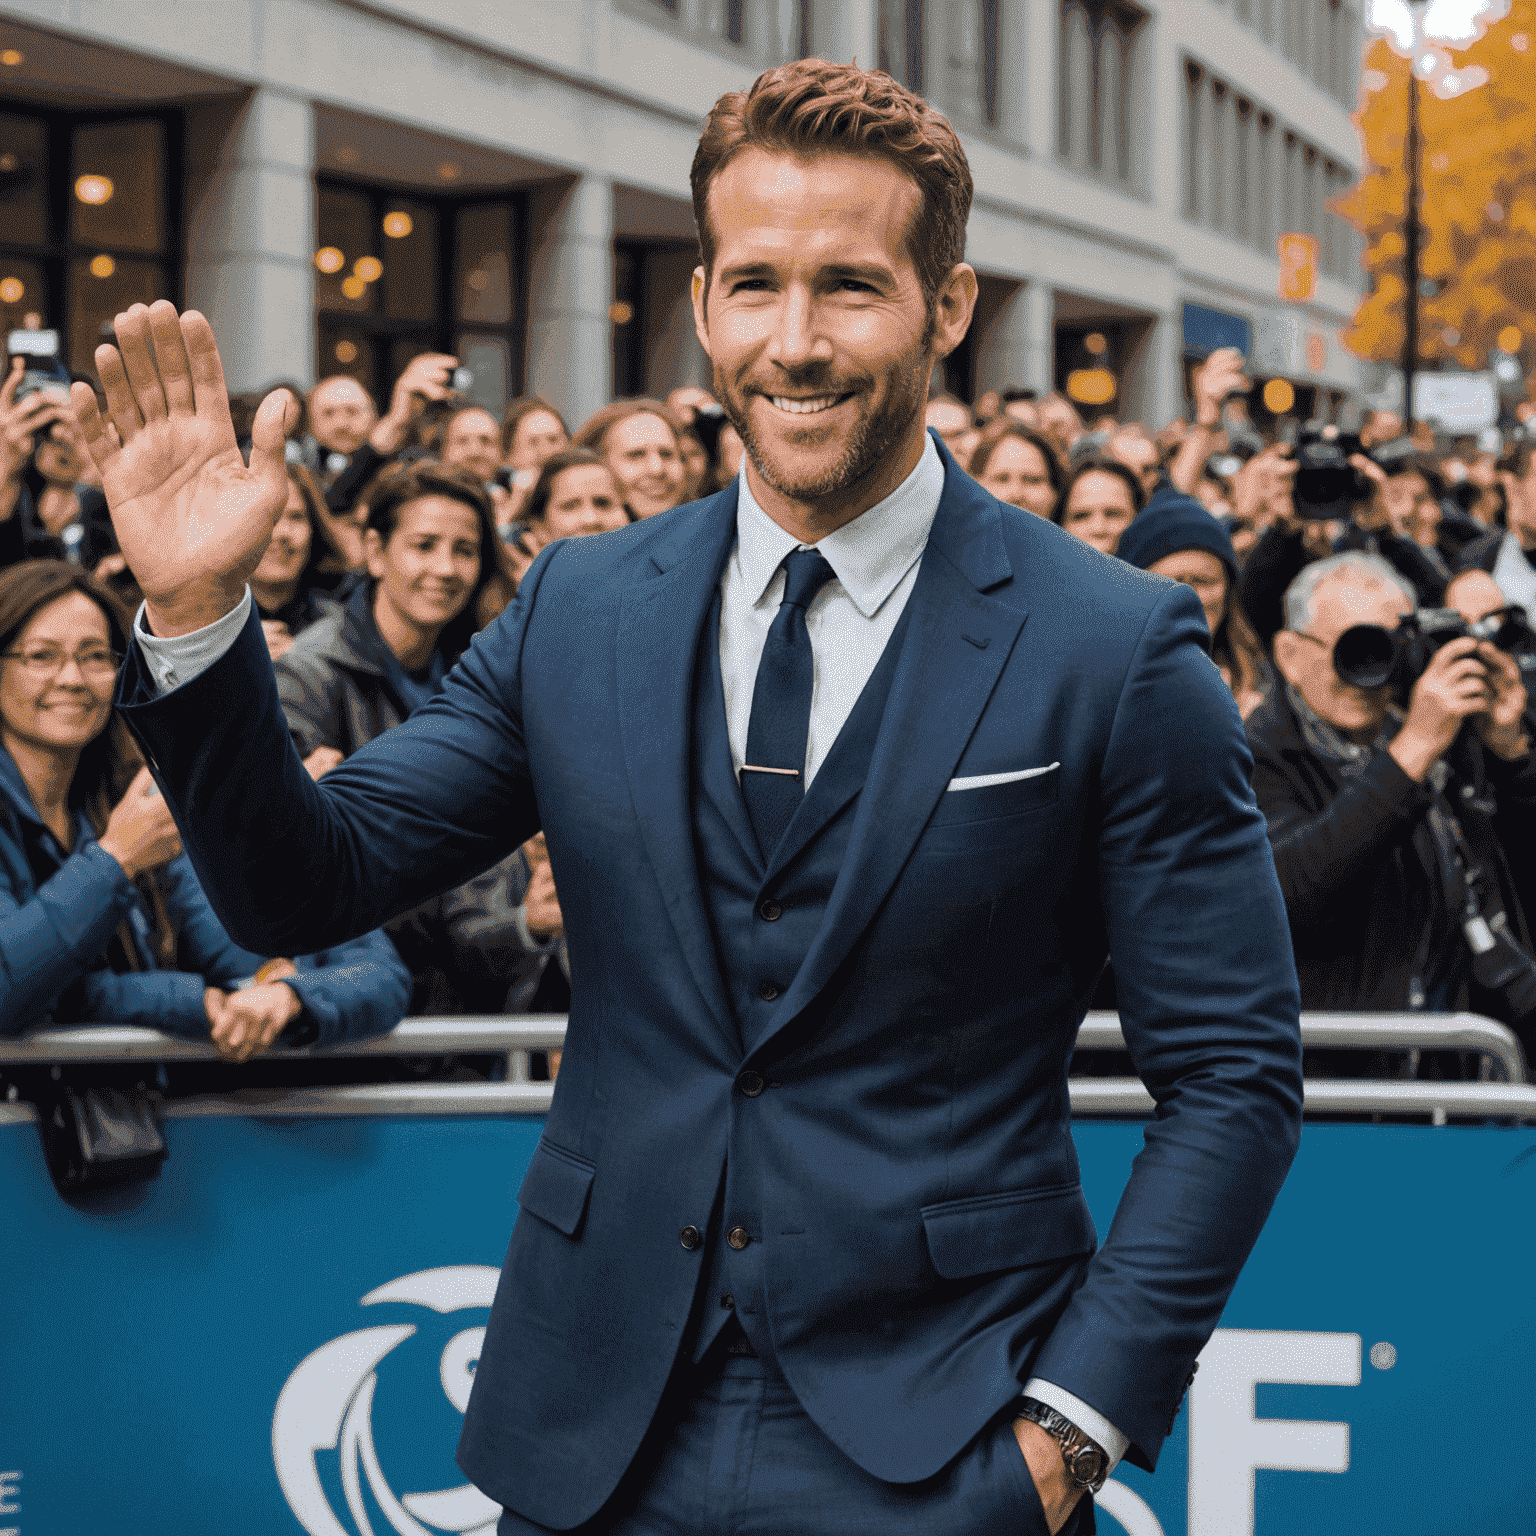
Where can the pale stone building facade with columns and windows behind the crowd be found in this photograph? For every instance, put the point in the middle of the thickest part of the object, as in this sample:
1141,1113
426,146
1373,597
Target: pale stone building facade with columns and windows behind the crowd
343,184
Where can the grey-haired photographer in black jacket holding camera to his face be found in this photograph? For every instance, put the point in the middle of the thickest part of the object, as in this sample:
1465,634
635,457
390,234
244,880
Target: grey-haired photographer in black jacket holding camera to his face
1386,766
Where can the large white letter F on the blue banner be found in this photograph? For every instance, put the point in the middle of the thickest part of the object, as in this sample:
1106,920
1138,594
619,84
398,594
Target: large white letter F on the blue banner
1228,1443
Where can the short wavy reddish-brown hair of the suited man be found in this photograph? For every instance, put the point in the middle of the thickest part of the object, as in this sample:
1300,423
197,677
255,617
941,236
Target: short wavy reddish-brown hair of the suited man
813,107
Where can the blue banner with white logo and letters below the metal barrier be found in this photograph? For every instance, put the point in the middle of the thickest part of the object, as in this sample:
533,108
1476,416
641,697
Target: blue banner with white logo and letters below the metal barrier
280,1336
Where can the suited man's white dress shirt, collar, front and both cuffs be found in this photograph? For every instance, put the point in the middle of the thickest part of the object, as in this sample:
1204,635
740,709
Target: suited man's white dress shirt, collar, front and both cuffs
875,558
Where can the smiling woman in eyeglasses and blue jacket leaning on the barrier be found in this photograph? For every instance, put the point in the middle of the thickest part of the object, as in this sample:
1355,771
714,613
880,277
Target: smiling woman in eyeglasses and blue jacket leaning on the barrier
96,898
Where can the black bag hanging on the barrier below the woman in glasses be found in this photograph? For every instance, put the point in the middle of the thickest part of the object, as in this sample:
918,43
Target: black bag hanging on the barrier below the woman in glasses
101,1136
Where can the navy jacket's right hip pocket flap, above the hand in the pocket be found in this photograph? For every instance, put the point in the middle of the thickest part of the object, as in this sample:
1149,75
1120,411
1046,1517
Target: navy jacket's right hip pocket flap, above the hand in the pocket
1010,1231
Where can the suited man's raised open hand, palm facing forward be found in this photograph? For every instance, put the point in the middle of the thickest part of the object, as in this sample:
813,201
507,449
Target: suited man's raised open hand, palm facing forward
191,518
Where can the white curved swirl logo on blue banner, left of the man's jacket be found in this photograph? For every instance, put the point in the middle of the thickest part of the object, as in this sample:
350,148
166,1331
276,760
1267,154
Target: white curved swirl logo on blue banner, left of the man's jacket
328,1405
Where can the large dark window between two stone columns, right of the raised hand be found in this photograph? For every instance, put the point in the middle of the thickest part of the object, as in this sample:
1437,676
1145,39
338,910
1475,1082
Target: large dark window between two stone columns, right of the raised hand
402,274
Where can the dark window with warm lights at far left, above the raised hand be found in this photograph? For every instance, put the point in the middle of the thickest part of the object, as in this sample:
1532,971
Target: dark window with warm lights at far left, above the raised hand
90,222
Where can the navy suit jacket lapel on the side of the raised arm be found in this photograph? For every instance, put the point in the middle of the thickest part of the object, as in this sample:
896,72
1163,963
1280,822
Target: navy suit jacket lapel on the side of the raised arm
658,641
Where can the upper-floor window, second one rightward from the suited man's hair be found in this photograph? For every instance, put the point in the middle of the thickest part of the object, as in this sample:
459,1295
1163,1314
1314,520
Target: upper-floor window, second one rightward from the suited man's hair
1097,87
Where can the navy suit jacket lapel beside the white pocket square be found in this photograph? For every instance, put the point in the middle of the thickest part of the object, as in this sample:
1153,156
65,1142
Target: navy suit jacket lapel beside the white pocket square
956,649
